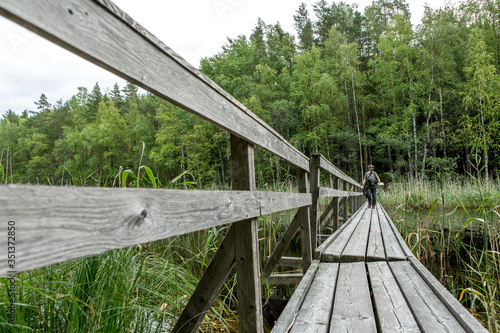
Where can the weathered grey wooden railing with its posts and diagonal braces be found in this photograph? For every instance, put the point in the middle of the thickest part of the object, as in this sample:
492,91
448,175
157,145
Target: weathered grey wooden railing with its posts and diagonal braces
57,224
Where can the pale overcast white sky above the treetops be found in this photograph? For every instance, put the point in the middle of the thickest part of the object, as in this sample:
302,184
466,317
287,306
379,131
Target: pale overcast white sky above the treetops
30,65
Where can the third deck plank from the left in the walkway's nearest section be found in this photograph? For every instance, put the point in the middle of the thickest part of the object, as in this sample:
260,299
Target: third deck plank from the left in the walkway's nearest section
352,310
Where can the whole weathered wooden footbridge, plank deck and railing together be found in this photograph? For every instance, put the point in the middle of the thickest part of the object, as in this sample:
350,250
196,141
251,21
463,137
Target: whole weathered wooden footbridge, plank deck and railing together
360,279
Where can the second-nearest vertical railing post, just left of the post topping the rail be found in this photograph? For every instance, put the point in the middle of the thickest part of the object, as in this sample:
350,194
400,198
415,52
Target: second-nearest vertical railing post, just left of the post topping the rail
305,223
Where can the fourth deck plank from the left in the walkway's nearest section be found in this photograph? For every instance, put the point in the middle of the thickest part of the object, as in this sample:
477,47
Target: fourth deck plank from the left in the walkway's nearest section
393,314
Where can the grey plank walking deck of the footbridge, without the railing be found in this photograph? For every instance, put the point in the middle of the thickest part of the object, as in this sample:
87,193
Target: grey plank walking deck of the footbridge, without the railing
389,290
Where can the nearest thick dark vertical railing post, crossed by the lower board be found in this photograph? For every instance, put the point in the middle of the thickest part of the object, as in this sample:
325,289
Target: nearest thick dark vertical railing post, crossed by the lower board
246,242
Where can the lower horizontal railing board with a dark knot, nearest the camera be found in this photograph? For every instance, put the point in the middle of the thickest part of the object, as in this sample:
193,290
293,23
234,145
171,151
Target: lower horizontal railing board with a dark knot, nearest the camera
64,223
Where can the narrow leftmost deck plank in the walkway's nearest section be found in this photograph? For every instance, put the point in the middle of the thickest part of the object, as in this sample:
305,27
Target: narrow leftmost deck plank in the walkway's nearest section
288,316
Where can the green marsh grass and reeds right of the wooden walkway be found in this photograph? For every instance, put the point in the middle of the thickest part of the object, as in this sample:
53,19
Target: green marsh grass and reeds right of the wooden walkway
458,237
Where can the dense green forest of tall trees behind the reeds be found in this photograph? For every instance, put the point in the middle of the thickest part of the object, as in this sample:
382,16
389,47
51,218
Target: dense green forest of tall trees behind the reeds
359,87
